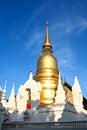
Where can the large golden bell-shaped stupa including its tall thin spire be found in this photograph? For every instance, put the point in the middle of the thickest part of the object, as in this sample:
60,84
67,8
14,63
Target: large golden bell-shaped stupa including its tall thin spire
47,72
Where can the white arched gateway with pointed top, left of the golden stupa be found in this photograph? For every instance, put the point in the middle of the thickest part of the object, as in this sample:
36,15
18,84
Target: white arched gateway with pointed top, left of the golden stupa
24,95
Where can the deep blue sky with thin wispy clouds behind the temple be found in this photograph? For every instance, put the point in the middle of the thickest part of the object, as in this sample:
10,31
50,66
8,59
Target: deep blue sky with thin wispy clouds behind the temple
22,33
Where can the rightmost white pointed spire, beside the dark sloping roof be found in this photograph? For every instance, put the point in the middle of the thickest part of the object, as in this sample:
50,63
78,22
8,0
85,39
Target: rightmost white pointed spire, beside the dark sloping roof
77,95
